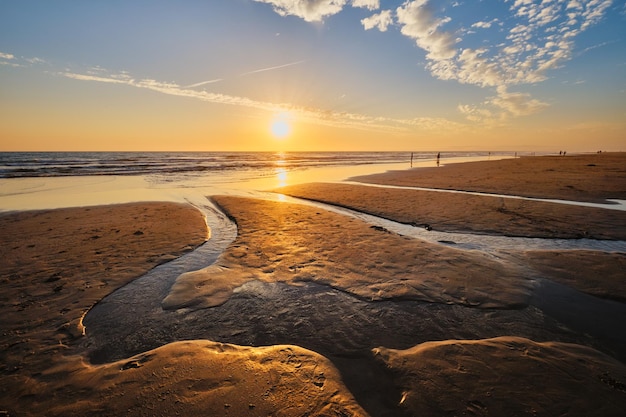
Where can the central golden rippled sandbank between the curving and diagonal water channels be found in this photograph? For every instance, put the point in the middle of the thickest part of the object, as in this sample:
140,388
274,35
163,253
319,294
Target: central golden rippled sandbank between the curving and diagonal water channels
282,242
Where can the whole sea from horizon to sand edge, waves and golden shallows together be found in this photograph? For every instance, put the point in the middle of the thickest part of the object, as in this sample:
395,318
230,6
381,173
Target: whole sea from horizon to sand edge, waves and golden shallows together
44,180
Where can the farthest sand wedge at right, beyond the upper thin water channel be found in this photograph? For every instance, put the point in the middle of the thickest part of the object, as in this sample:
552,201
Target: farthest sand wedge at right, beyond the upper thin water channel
592,177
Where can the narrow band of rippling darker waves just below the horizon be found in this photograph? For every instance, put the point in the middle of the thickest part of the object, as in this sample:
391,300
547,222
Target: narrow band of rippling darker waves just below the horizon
257,164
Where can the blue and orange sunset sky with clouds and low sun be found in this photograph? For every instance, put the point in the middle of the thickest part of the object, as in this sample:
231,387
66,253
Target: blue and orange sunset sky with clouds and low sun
313,75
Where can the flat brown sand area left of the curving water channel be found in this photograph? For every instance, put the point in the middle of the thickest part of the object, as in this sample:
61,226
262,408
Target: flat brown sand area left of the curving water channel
56,264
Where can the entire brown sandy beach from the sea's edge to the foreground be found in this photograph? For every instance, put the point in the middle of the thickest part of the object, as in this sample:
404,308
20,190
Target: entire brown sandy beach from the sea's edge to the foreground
311,311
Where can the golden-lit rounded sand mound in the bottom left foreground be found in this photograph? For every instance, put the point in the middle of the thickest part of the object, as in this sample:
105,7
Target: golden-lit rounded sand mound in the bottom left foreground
194,378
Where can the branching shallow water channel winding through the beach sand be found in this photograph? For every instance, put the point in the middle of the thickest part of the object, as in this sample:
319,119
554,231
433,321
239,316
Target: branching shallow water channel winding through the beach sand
340,326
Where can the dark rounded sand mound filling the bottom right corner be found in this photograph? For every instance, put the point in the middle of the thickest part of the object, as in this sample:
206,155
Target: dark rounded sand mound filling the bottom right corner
507,376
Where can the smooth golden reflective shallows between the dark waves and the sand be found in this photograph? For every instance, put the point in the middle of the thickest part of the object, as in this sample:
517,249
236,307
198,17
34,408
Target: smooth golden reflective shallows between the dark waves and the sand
42,193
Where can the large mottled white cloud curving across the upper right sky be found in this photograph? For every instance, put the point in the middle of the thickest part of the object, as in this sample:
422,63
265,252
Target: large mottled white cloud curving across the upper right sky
540,39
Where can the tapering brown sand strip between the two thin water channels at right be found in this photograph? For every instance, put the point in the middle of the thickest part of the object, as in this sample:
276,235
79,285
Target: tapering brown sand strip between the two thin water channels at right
453,212
